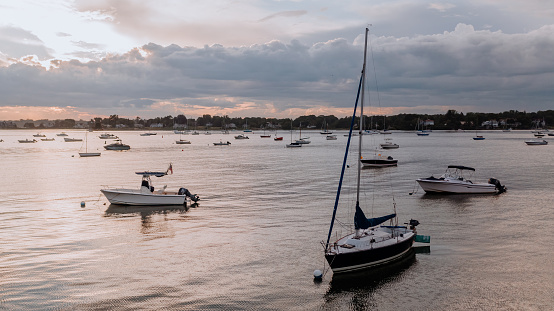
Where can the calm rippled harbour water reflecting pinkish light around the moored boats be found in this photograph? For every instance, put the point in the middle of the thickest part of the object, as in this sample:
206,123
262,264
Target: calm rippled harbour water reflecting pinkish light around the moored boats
253,242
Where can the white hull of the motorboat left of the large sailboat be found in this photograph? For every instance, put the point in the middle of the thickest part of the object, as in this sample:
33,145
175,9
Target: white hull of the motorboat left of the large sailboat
135,197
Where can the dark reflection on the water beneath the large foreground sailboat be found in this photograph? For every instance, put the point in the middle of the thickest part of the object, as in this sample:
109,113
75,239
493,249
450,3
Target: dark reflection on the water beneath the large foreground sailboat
358,288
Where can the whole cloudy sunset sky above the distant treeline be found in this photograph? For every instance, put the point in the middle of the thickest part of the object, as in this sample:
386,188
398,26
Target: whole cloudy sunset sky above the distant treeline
81,59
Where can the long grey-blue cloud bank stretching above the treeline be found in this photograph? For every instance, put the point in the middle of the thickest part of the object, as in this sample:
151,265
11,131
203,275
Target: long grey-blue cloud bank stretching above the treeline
459,68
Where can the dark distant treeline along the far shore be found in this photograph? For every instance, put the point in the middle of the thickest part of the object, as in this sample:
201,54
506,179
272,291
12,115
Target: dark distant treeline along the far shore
452,120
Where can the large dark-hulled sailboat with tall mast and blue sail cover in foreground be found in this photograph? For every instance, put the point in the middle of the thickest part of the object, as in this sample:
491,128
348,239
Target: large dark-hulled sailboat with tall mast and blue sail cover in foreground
370,244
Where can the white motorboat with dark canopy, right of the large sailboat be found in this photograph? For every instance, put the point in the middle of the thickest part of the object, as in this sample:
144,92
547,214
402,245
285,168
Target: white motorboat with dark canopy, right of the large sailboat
454,180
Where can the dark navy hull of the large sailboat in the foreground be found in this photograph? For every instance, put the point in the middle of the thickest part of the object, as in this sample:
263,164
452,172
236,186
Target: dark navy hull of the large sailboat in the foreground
342,262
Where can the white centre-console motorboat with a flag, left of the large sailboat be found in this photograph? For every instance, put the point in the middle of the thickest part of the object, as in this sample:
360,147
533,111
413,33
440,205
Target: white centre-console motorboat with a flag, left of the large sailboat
147,194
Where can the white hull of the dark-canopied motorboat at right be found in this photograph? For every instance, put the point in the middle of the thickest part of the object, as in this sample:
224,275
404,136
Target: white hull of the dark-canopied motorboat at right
442,186
